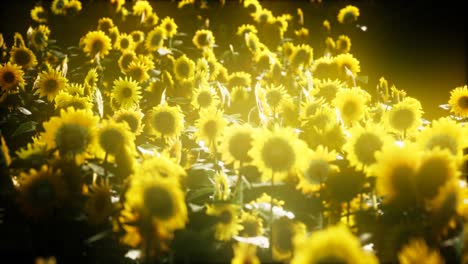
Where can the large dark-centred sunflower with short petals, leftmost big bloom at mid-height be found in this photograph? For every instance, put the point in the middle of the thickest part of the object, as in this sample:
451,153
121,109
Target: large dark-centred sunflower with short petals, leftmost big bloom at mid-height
71,133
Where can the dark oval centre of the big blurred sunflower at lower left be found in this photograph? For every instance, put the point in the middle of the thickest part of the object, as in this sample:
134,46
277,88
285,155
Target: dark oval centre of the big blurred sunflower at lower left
159,202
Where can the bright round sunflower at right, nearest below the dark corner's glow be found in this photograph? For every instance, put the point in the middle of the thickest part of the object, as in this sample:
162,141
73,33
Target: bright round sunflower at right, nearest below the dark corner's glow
404,117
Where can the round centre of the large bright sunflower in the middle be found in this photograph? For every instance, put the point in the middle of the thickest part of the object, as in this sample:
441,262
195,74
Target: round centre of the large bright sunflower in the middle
278,154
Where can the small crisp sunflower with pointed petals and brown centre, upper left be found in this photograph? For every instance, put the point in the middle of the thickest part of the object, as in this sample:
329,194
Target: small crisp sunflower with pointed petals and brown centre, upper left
126,92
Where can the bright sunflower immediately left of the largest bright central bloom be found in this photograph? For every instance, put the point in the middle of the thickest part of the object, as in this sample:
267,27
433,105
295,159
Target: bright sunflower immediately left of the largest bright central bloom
236,143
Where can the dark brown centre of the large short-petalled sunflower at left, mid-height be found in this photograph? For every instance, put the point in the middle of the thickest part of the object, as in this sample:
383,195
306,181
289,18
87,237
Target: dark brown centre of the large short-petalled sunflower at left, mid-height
71,138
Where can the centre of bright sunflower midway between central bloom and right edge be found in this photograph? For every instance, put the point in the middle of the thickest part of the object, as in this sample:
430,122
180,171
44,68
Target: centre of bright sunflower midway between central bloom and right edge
365,147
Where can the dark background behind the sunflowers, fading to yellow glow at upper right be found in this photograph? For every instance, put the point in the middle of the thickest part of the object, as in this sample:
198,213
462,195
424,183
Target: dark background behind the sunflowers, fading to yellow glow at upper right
420,46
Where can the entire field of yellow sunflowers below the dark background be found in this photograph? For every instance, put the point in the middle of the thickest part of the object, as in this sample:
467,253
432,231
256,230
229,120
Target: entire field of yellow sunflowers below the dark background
151,135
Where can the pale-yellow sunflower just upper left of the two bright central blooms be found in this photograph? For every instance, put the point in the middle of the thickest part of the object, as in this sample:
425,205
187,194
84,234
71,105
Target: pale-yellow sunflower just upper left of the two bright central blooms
210,126
